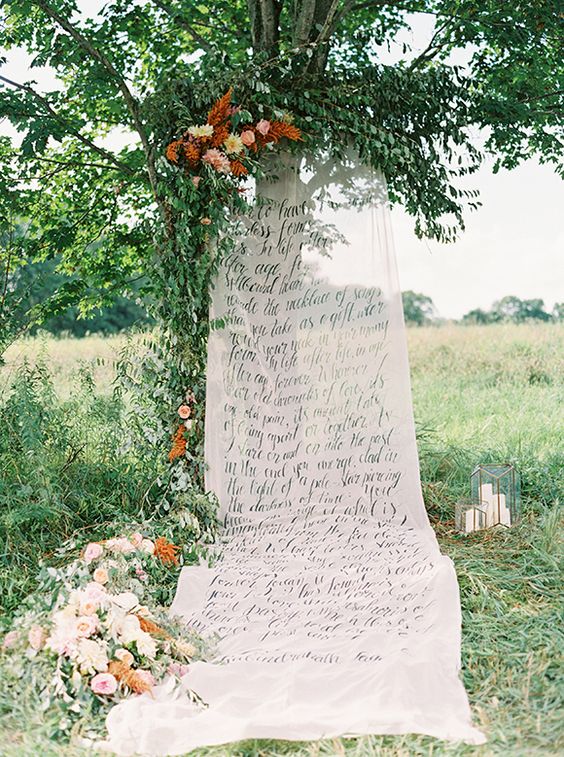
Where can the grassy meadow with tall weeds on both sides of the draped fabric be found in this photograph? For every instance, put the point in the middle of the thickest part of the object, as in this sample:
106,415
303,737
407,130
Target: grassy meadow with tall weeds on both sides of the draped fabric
481,394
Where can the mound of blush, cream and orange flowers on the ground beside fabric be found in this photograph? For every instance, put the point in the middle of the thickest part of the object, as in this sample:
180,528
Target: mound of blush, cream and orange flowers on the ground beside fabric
94,635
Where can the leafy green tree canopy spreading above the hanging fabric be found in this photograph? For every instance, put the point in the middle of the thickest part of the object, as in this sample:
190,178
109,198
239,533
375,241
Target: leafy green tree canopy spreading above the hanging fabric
86,183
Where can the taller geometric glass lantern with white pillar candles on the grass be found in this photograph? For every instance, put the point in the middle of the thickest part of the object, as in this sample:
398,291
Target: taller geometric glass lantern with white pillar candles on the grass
496,489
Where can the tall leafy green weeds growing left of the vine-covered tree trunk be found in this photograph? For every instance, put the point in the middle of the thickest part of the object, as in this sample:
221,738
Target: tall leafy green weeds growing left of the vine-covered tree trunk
77,467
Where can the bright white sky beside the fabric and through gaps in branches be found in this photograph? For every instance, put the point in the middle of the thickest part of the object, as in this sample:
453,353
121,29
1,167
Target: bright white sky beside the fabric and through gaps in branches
514,244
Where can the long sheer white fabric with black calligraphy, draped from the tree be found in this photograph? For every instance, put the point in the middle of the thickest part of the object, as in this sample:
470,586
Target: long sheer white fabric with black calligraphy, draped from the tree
334,610
